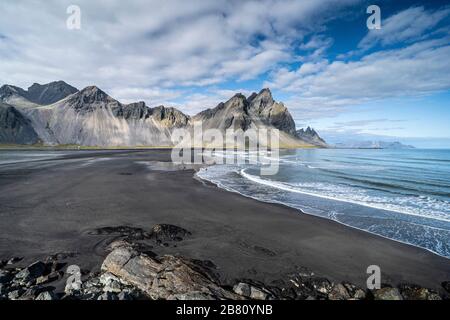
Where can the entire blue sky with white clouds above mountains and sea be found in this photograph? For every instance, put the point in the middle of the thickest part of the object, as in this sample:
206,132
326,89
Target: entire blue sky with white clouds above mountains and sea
317,56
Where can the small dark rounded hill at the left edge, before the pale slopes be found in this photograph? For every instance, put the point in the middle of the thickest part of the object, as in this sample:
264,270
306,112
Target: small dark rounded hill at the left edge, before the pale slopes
15,128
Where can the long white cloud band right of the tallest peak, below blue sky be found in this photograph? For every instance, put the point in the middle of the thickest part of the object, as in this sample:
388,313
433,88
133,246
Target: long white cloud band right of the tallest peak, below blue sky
417,69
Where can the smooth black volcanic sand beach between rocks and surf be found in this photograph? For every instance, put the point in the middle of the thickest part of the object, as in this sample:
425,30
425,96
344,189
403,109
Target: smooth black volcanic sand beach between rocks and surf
48,207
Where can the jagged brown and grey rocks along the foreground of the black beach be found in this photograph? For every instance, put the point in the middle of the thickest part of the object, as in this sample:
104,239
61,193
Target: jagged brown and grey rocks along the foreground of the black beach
131,271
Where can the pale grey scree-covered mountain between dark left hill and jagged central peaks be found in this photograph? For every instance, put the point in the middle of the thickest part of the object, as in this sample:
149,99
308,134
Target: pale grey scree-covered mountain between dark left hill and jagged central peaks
93,118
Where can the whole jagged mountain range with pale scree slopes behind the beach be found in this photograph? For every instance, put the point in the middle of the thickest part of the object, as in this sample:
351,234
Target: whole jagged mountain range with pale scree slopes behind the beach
59,114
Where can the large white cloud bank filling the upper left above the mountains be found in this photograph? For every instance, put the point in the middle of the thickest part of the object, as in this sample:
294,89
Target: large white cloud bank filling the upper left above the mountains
161,44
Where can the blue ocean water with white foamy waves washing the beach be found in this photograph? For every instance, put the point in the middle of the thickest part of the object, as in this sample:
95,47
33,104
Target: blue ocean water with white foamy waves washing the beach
403,195
